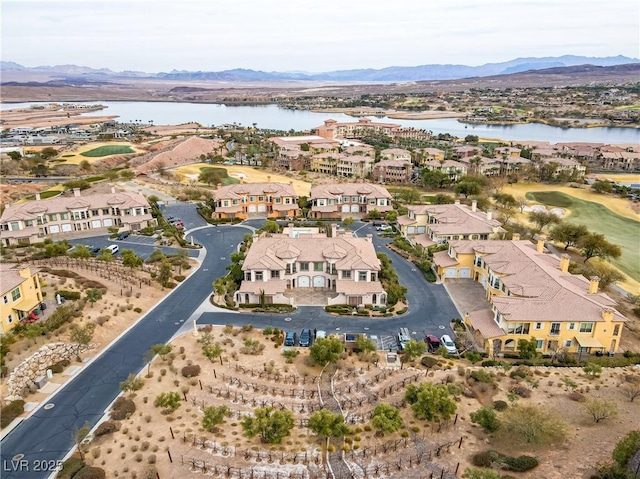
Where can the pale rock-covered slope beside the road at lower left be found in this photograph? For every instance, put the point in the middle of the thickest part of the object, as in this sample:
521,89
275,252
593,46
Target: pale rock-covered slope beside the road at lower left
37,364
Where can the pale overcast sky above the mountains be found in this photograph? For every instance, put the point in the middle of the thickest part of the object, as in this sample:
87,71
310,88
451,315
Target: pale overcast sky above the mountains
313,36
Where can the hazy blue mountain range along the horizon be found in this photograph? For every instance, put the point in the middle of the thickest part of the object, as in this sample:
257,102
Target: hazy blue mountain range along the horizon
15,72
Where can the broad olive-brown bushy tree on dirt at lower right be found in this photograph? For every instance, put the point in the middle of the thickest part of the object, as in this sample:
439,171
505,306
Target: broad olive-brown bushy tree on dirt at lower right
532,424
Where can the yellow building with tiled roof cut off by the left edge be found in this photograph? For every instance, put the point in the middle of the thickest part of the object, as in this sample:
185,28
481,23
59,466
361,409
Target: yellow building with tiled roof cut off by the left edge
21,294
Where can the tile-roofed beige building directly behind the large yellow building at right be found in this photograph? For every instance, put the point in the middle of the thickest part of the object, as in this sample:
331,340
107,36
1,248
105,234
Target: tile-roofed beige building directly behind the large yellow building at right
429,225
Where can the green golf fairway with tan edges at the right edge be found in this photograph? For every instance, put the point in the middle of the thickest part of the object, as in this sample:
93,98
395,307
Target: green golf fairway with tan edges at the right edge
624,232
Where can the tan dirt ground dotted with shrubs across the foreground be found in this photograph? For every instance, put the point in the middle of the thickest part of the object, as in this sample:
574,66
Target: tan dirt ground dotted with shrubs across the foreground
243,382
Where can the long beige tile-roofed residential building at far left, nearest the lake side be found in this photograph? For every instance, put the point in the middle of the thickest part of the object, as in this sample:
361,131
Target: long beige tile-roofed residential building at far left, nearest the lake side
73,216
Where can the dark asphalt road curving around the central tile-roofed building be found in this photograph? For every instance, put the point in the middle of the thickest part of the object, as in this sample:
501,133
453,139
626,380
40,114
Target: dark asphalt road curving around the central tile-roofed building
48,434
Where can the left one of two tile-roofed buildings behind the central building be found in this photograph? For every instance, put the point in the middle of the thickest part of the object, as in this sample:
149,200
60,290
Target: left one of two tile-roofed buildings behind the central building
246,200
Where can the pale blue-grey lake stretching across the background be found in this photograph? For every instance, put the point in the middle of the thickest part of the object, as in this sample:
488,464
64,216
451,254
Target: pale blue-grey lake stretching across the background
273,117
